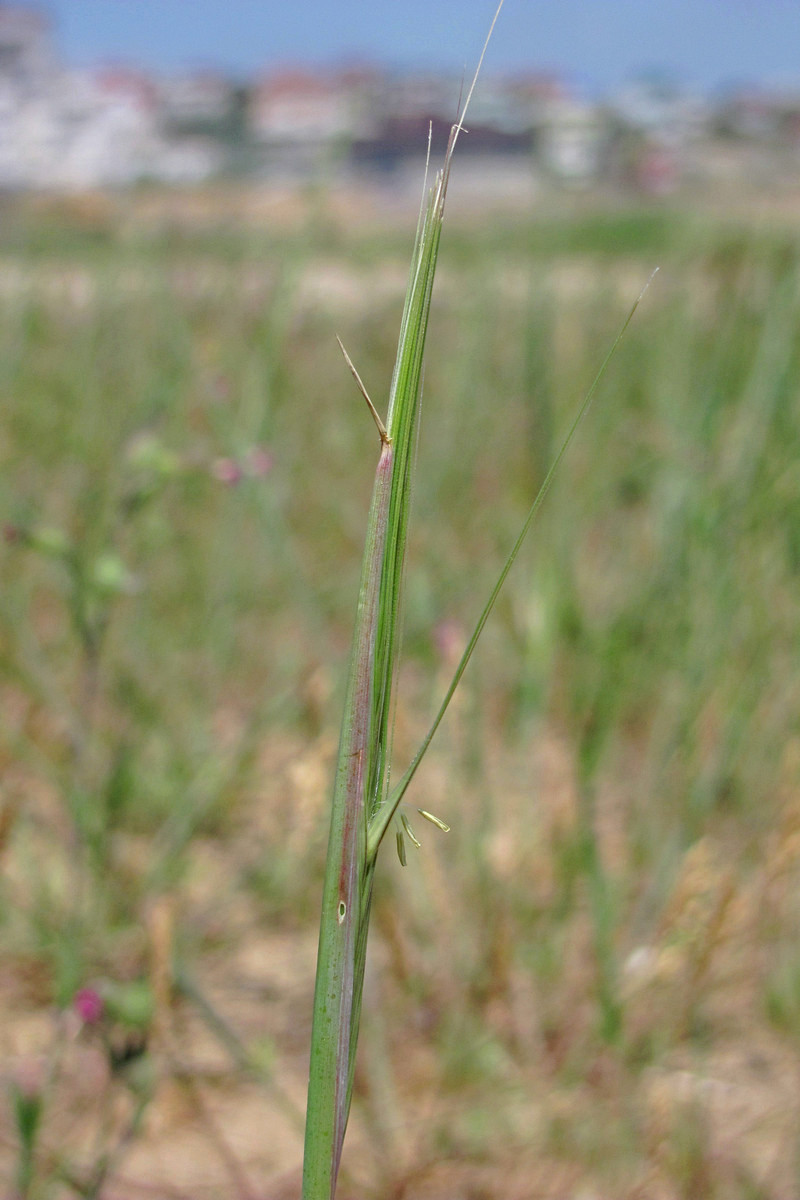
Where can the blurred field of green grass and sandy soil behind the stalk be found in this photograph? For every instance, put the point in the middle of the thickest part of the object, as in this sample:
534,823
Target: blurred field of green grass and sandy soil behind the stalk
591,988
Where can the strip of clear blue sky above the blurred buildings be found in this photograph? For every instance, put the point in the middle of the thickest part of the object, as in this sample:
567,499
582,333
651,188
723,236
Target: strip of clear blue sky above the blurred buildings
596,44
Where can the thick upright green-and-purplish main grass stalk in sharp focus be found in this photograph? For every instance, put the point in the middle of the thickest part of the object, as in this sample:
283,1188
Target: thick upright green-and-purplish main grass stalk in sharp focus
363,761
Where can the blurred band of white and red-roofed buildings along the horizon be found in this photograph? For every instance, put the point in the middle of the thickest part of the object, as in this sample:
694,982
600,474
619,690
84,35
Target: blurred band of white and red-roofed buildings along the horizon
117,127
